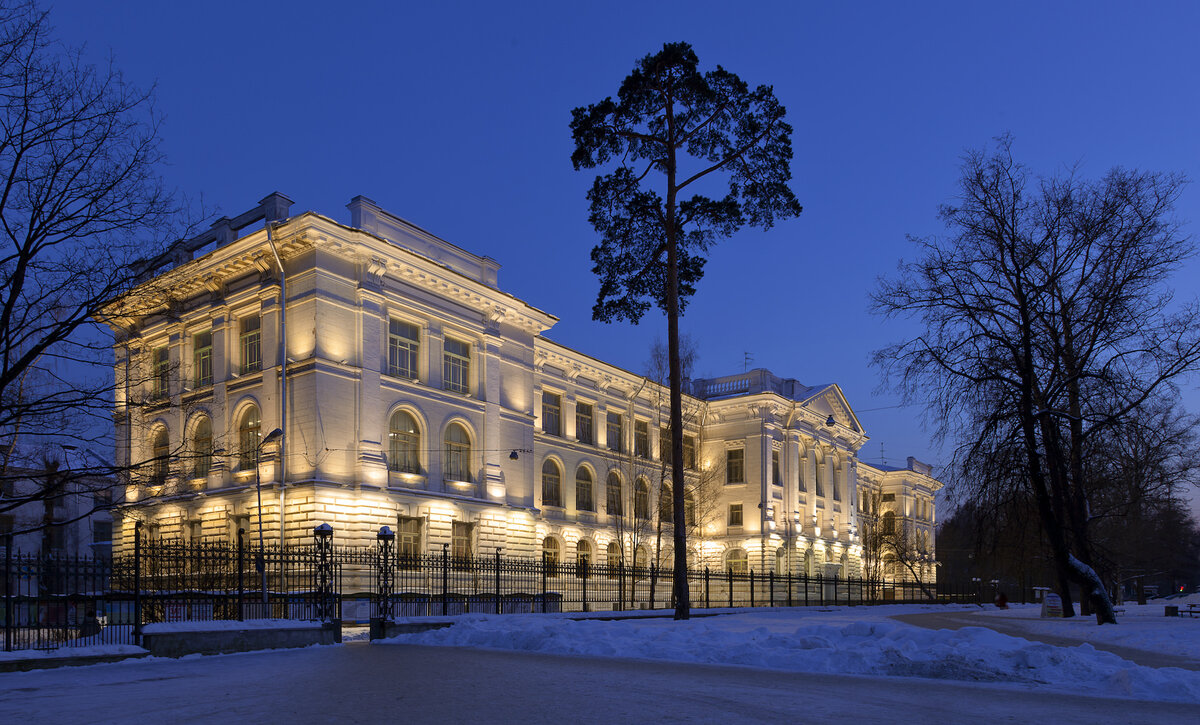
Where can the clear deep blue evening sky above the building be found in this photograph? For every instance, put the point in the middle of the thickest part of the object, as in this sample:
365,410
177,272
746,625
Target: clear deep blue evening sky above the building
455,116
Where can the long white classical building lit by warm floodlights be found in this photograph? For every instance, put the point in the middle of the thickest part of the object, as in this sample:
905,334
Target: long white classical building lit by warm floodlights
413,393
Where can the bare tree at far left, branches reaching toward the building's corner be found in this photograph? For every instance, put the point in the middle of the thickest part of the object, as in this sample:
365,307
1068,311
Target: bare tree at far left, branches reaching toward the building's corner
83,213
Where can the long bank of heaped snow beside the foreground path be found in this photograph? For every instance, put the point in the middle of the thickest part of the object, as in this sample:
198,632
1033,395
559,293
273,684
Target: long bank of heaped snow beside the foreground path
800,642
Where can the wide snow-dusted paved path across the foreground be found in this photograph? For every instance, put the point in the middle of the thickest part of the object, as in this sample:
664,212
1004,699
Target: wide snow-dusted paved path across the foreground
373,684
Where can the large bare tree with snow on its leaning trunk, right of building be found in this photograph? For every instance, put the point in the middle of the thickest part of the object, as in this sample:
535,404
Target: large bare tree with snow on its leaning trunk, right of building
1047,321
